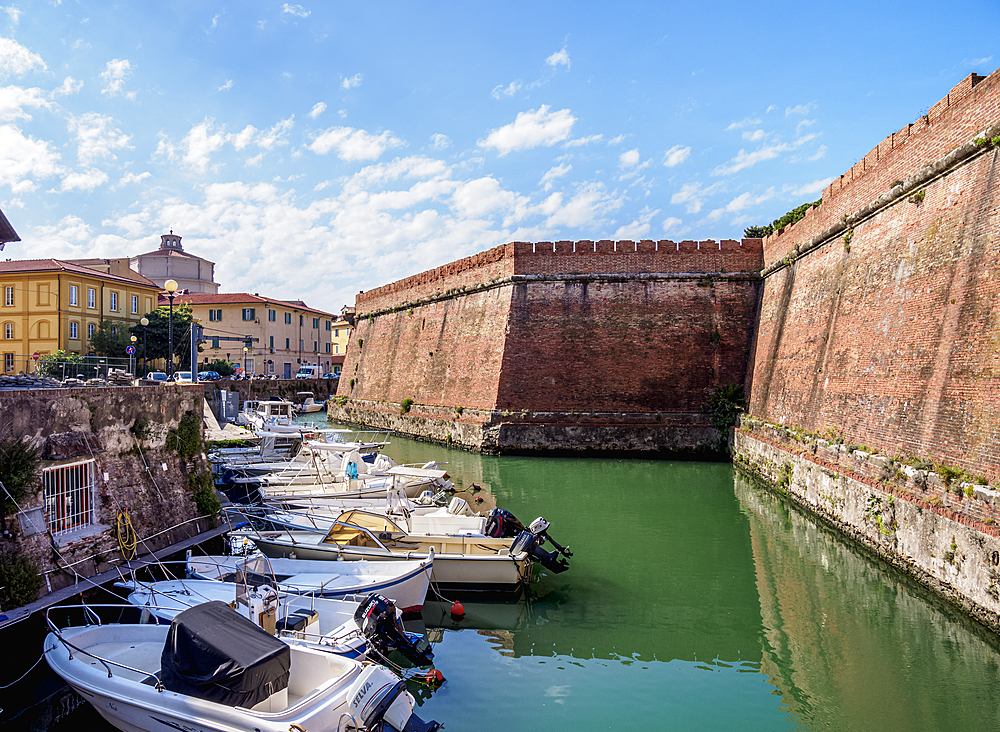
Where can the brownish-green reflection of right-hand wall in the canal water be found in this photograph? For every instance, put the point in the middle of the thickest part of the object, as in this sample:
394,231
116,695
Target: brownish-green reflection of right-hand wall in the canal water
852,639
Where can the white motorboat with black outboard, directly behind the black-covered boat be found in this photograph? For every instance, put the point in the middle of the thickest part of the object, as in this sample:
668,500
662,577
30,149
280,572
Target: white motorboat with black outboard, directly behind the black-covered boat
326,624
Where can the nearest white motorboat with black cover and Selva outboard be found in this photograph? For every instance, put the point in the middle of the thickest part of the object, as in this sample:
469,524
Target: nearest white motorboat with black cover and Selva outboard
213,670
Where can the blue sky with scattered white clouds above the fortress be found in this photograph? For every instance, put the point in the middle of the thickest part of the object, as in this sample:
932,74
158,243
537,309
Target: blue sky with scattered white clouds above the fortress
314,150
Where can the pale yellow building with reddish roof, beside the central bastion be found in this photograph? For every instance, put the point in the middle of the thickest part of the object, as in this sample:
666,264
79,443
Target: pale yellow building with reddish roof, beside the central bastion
284,335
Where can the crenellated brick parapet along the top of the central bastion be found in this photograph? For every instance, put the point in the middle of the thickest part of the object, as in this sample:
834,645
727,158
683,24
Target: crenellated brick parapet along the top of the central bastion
570,257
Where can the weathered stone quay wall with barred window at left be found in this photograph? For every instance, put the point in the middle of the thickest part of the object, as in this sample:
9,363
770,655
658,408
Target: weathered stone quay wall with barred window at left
124,430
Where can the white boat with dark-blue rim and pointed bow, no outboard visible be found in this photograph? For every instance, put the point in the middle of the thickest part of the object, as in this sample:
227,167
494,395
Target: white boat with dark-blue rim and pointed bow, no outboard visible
405,583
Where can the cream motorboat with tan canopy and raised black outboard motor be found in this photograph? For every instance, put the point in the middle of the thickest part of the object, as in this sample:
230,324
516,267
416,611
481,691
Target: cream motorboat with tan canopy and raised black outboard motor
469,559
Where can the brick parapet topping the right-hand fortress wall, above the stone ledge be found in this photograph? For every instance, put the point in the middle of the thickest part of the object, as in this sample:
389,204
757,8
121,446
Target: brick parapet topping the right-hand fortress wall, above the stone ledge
971,107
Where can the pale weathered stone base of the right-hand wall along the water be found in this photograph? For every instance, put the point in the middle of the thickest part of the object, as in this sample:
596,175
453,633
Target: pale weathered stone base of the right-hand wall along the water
943,535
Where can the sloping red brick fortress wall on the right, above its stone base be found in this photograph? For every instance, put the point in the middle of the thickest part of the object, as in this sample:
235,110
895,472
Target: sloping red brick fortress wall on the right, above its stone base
895,340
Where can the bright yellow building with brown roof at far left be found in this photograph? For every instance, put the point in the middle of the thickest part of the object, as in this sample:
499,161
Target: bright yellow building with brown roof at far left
47,305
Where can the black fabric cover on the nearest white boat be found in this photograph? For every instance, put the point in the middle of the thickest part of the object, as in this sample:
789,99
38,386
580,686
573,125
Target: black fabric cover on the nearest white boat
215,653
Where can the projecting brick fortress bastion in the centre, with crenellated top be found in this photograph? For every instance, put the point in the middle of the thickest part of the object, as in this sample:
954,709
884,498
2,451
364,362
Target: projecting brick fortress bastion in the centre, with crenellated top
539,334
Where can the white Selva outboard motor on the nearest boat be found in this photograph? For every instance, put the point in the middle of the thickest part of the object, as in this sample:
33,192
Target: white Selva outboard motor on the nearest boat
379,700
